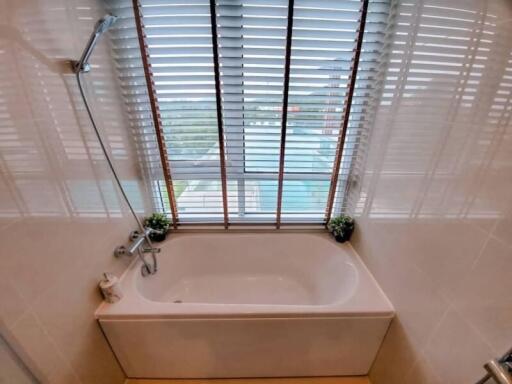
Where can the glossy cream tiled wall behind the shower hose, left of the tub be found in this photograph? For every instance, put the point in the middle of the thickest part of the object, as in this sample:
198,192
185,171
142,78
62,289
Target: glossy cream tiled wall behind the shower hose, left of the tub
60,214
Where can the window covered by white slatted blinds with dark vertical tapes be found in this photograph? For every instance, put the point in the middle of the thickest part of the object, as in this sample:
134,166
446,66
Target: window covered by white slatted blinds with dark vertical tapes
259,115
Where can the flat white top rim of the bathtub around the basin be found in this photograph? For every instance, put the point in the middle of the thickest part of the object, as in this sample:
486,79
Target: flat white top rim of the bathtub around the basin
141,307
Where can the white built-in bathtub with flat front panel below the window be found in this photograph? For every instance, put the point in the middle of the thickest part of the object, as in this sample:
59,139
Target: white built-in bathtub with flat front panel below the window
248,305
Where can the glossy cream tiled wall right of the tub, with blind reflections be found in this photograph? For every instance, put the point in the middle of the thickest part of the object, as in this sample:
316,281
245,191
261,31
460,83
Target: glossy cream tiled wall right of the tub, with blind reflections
435,215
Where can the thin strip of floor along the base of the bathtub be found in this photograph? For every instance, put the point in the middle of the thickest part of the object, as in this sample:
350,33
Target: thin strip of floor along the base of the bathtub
308,380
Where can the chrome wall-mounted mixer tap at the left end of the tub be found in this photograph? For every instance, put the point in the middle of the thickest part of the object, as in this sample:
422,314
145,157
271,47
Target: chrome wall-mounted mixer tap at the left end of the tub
137,246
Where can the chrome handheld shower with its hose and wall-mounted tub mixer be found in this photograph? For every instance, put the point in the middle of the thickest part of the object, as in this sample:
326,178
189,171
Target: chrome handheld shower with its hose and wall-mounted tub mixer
82,66
